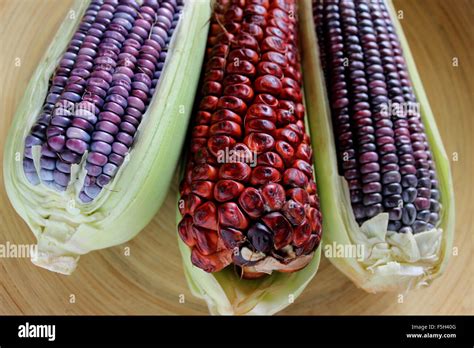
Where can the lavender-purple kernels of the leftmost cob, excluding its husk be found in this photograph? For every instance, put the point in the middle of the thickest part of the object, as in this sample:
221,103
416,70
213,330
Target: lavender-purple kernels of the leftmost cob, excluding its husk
100,91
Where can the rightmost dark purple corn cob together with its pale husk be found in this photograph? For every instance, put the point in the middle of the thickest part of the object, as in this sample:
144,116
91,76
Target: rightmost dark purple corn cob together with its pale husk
389,196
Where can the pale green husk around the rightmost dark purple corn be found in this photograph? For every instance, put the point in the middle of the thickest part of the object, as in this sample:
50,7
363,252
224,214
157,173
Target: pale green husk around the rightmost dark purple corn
391,261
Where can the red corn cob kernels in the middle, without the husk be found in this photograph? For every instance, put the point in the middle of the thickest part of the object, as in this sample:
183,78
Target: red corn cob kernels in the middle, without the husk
257,208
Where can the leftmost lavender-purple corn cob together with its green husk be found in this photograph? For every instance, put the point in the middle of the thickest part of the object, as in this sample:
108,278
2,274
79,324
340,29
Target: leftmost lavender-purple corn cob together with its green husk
121,71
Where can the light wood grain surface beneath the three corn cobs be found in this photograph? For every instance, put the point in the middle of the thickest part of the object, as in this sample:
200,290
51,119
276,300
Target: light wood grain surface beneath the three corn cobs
151,280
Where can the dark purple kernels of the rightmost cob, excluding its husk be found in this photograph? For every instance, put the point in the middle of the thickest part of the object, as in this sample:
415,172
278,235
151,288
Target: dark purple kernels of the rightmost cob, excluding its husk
382,147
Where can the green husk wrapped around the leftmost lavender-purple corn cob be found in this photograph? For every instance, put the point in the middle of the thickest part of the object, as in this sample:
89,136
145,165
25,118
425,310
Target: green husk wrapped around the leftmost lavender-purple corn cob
65,228
